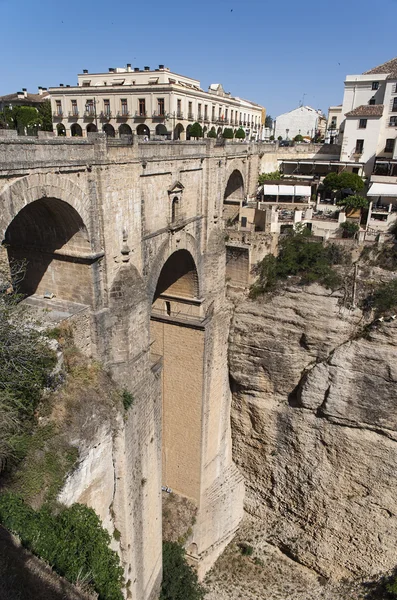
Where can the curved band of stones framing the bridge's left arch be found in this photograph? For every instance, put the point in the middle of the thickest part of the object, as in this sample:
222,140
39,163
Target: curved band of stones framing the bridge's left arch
36,186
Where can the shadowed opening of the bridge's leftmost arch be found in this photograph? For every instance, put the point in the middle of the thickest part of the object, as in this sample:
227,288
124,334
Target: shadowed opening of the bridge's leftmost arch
49,238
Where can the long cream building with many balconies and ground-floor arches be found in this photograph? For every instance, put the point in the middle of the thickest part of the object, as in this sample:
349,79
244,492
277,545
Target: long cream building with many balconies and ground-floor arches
148,103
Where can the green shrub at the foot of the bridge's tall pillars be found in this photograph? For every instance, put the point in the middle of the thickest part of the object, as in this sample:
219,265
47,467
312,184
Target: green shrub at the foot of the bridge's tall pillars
179,579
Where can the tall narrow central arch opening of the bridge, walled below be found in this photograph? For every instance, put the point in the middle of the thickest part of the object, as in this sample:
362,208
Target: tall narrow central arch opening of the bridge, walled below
177,336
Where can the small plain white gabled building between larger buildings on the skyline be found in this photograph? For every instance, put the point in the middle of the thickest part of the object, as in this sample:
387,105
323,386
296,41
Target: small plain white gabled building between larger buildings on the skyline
304,121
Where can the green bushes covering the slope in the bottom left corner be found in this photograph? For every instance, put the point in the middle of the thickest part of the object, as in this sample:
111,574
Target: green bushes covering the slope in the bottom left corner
73,542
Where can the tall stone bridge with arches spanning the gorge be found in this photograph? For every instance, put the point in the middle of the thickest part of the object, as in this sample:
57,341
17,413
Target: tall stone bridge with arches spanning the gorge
134,232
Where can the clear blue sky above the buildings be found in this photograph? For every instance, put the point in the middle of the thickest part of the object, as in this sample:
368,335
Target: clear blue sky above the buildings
277,54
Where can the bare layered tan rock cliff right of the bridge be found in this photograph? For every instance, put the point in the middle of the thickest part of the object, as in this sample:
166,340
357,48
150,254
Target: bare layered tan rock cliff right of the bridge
314,422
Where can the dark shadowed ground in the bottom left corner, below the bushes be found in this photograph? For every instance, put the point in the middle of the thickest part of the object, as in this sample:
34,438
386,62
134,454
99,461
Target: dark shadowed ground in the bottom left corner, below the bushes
25,577
